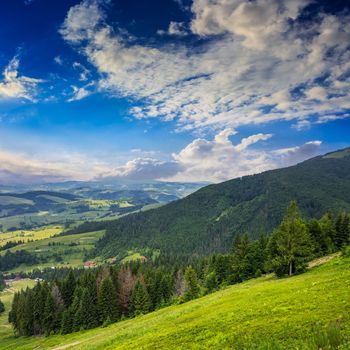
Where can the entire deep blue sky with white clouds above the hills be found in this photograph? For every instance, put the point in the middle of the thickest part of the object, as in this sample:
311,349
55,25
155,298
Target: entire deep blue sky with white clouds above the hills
173,90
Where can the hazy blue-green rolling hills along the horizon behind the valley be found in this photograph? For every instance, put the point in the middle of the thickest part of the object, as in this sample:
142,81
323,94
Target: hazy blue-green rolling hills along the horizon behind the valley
29,206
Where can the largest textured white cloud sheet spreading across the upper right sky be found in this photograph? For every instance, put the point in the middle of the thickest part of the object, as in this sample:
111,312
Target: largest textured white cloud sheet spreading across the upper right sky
257,56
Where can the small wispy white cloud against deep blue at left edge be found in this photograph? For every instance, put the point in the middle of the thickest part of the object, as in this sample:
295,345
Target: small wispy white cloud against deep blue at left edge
14,85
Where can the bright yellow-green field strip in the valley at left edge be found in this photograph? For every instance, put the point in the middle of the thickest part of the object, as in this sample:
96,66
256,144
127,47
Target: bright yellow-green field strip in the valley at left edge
30,235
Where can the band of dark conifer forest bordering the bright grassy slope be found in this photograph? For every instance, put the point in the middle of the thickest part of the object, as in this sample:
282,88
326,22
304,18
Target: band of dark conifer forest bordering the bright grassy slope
107,294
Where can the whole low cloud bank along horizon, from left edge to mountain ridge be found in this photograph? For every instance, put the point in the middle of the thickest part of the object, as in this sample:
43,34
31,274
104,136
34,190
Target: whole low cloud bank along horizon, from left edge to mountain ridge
214,160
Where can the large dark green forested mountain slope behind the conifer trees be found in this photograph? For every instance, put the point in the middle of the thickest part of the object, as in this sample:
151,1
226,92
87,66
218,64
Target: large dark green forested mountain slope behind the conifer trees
205,221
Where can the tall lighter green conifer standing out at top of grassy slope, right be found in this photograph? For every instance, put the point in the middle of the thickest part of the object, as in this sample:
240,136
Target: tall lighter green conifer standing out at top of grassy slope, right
290,244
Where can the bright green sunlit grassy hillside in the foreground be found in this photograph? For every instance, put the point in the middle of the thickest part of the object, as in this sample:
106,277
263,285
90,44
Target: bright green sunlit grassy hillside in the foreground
264,313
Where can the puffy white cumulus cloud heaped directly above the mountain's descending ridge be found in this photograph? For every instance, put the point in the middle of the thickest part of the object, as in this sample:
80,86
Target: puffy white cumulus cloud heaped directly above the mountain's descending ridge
216,160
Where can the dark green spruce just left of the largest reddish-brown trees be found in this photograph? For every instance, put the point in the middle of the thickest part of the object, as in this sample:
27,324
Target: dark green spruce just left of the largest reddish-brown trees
108,301
